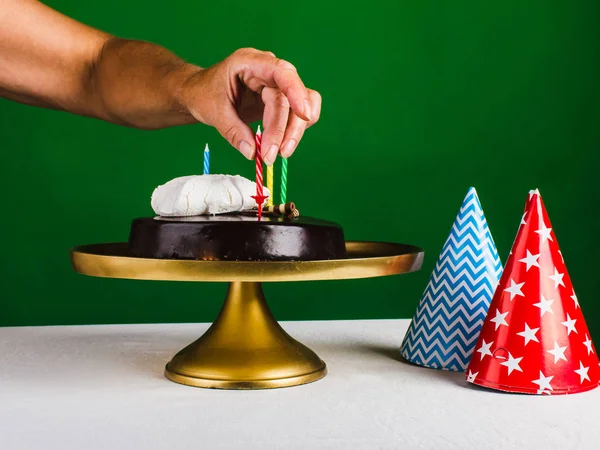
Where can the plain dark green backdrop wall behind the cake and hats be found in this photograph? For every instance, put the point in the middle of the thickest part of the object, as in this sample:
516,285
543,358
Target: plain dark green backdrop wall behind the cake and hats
420,101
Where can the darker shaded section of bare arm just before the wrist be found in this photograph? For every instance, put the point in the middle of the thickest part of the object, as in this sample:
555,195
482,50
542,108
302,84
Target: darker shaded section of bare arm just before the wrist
137,84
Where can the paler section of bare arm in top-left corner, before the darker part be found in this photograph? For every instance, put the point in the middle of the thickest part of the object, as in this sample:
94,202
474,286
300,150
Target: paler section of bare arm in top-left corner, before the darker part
45,56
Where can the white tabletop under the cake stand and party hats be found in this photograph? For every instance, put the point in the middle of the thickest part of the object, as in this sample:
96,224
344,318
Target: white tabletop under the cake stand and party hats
102,387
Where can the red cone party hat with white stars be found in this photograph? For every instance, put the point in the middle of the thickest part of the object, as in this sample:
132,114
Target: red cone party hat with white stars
534,339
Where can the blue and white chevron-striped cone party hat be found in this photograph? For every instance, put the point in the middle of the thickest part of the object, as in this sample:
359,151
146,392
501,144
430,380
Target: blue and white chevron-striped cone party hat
449,317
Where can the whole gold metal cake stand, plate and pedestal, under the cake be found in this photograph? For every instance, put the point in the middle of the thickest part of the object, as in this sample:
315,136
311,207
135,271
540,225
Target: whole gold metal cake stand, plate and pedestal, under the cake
245,347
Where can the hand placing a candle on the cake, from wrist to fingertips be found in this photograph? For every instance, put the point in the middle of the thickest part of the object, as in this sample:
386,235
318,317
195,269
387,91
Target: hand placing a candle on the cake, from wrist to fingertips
245,87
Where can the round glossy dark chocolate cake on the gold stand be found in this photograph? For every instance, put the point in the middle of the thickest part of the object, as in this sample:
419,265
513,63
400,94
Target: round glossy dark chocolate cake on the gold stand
237,237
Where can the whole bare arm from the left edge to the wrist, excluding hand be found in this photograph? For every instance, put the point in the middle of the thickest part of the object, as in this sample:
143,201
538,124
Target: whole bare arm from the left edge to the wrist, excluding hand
50,60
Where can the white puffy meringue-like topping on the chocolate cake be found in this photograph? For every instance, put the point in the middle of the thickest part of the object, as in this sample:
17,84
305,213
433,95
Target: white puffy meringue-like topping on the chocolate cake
196,195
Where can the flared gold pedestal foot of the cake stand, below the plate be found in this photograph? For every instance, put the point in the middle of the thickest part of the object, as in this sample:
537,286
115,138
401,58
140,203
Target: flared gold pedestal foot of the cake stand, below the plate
245,348
